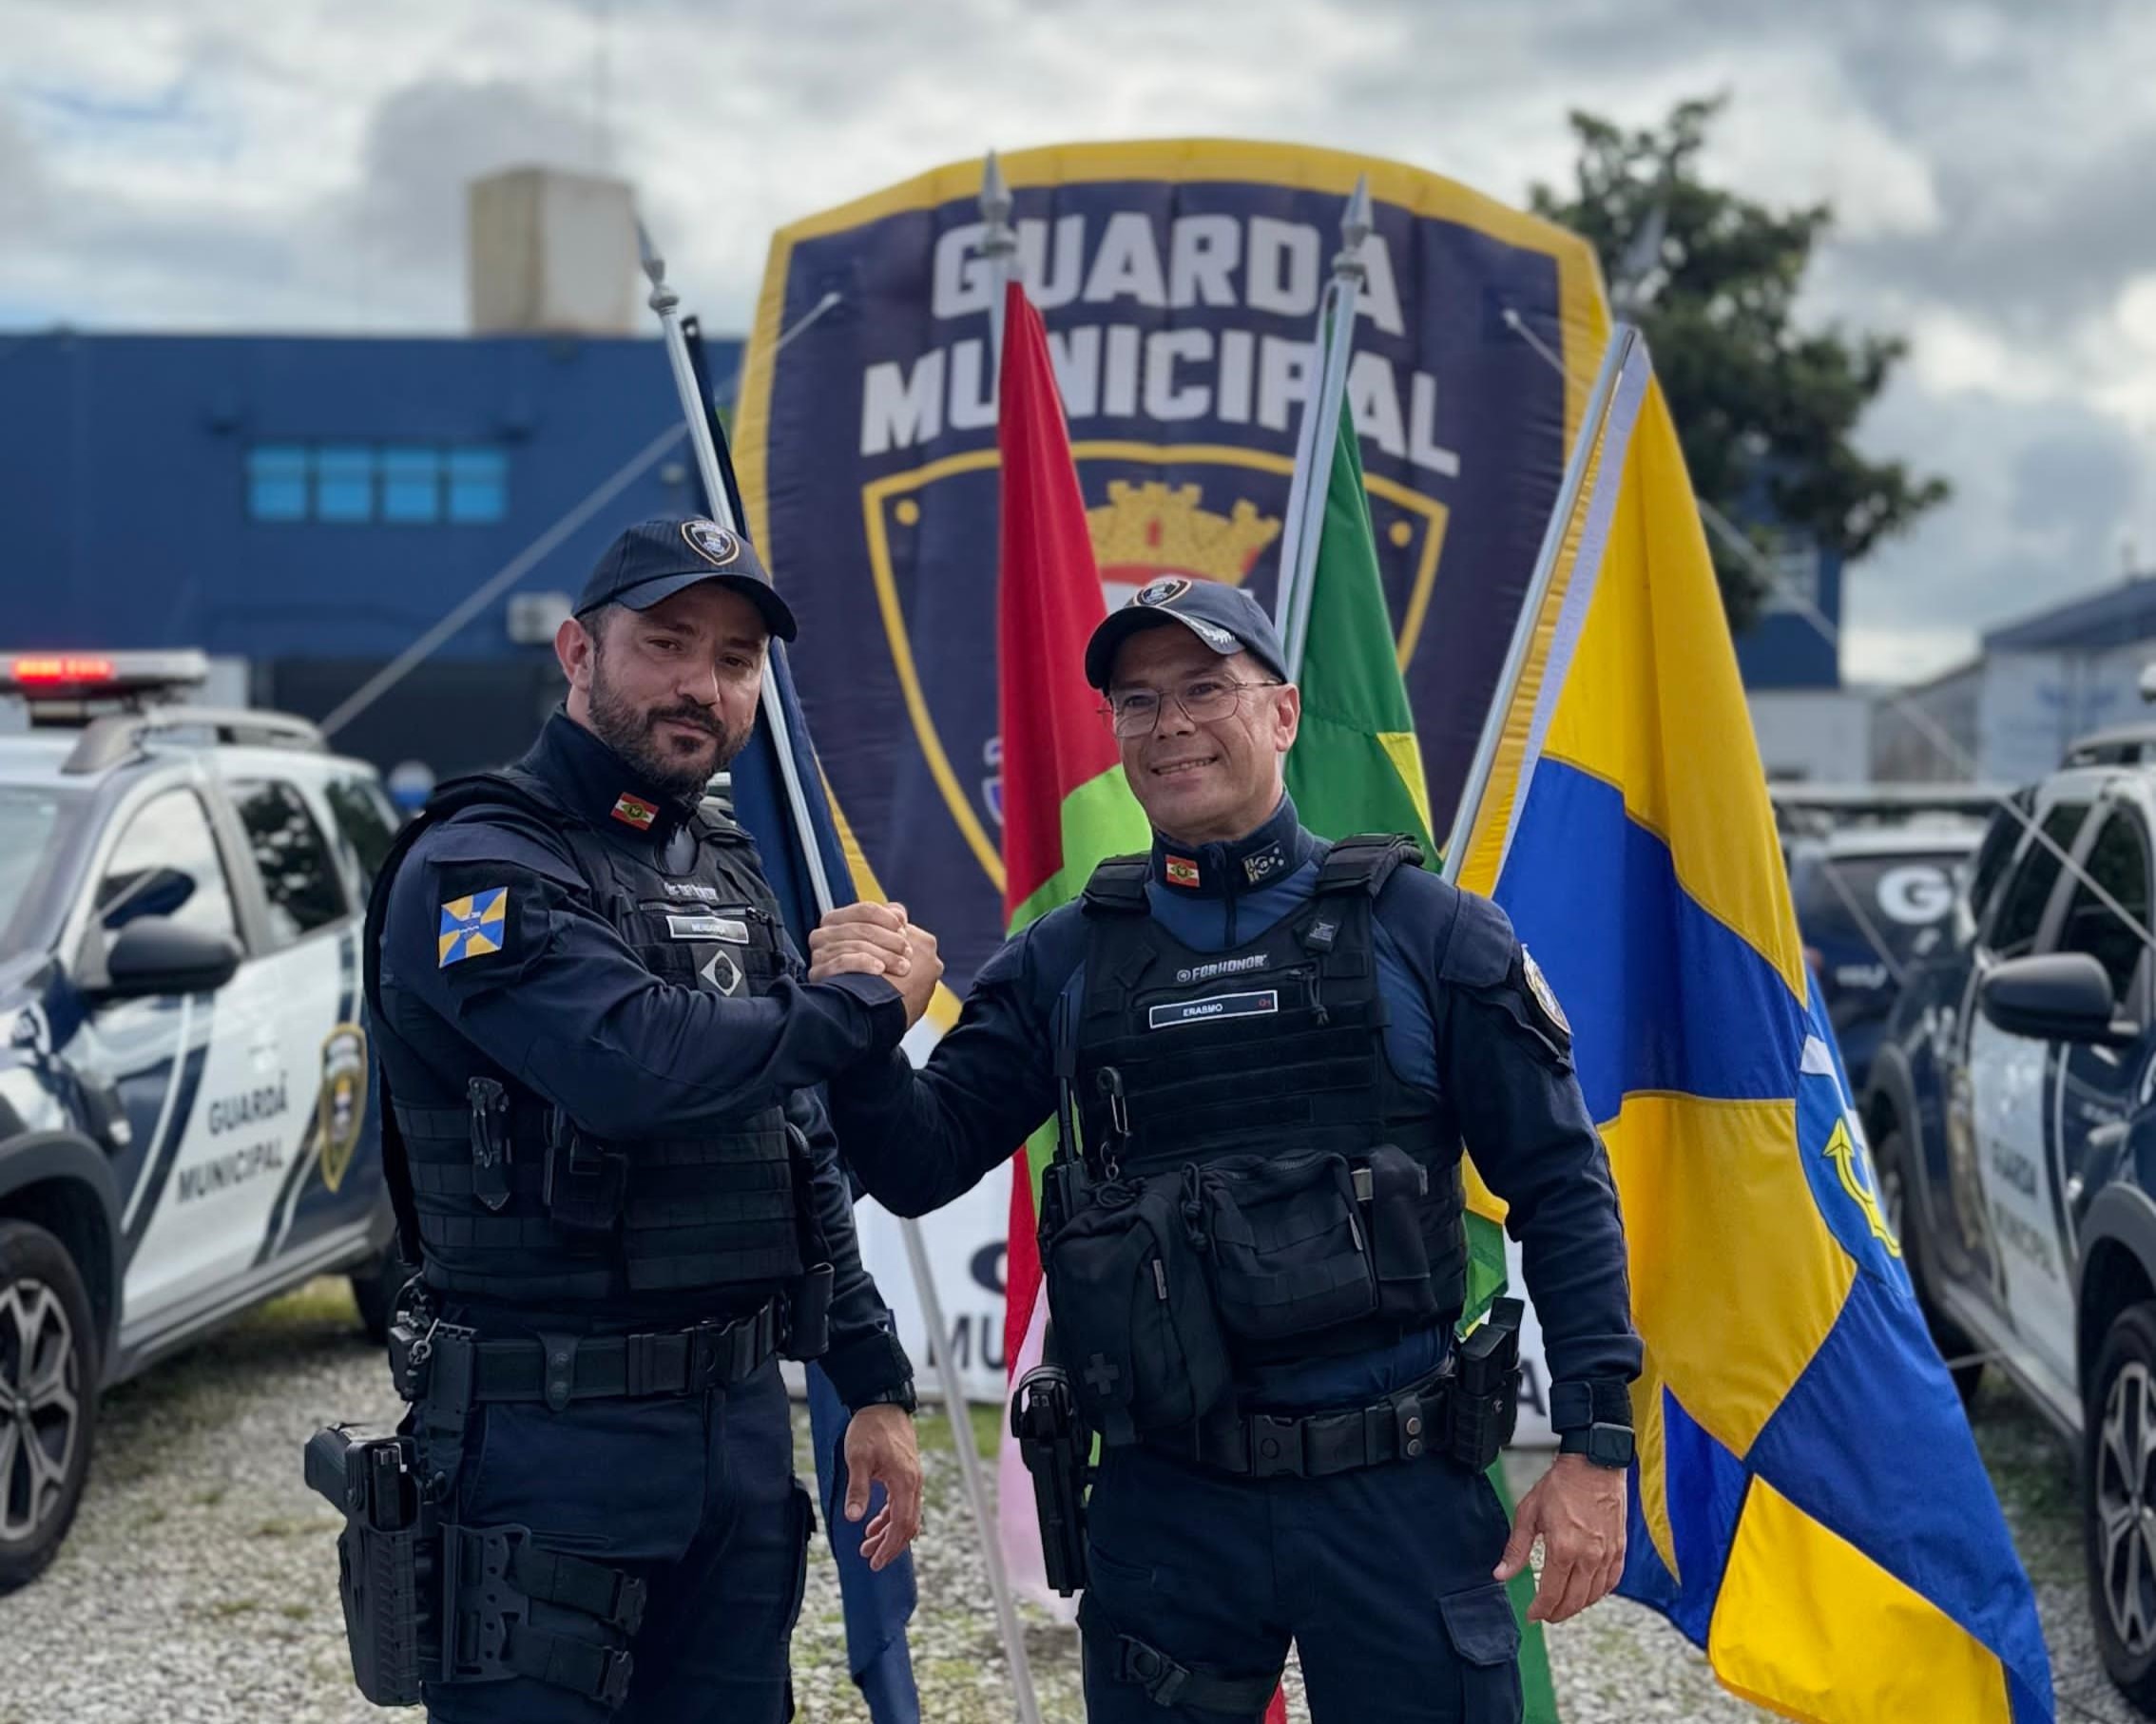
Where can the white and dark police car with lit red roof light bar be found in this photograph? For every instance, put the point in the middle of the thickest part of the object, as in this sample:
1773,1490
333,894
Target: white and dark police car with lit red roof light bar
184,1109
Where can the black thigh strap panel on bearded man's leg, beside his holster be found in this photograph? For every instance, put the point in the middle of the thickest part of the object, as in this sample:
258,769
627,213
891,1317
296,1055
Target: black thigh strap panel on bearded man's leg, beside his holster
495,1574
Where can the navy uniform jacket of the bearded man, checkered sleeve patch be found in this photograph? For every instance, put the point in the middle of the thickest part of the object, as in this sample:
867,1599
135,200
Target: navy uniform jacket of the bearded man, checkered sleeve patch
551,997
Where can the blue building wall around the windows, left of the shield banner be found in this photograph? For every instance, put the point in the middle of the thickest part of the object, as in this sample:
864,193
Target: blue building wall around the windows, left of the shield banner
126,505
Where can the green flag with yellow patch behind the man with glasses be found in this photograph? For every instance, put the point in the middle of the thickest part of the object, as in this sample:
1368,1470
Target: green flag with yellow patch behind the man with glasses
1357,768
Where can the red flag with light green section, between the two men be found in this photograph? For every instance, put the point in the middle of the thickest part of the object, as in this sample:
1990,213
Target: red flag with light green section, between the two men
1066,805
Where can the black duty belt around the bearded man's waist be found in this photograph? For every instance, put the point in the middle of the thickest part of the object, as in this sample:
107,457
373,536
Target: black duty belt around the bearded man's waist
564,1370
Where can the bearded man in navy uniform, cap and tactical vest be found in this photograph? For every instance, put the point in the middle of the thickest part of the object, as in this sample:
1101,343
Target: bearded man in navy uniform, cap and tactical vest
603,1059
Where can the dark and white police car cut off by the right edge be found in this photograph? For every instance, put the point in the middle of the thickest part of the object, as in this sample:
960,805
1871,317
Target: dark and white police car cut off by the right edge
2013,1120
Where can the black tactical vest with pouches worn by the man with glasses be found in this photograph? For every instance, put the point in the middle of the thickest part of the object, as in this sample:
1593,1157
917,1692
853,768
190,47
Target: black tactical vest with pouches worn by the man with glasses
1321,1191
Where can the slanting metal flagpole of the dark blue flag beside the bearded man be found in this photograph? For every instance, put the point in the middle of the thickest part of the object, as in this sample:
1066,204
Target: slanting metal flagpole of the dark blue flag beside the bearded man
665,301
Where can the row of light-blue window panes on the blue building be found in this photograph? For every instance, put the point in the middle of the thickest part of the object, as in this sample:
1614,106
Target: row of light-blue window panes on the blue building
398,484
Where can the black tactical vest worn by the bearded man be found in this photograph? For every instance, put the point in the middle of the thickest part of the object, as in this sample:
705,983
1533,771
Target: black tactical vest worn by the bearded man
510,1199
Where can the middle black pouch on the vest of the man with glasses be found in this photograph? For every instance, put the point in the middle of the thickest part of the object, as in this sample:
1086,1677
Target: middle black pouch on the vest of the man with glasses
1288,1245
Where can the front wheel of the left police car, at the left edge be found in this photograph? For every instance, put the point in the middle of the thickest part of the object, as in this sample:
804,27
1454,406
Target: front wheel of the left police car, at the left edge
49,1400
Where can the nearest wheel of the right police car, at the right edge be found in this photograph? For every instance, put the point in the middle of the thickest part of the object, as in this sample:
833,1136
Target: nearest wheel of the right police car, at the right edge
2118,1486
